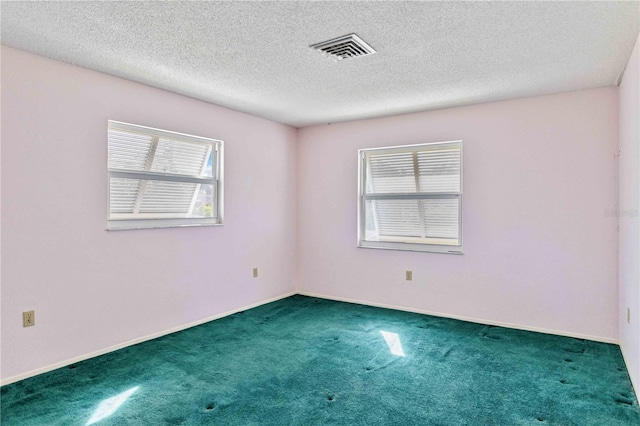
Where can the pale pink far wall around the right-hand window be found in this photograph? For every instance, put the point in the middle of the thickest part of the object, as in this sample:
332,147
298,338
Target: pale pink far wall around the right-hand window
540,251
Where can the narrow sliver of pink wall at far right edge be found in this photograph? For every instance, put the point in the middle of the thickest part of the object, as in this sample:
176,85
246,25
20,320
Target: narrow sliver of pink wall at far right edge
629,251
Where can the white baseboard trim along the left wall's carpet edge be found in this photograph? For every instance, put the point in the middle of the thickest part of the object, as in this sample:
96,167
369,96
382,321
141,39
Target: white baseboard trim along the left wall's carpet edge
84,357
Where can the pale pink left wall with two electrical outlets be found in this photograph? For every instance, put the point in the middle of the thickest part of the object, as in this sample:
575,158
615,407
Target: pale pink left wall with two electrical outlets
92,289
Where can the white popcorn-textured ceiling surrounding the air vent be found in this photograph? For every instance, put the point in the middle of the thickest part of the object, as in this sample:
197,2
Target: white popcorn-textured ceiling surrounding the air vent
254,56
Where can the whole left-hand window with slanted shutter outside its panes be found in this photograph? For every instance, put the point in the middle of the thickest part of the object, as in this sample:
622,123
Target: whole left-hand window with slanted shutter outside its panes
160,179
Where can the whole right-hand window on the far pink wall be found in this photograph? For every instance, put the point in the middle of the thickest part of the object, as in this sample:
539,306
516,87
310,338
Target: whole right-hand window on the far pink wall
411,197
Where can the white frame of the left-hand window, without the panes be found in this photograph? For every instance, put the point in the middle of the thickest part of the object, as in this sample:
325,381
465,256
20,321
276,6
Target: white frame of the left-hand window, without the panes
114,224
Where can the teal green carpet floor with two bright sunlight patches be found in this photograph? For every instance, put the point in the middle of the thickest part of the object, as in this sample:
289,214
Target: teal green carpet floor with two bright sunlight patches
307,361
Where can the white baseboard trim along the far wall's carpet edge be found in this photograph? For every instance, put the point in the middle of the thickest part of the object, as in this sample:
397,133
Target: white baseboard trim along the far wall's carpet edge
464,318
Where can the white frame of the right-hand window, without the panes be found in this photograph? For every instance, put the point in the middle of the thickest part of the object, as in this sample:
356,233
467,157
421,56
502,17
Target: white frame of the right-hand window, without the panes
363,197
